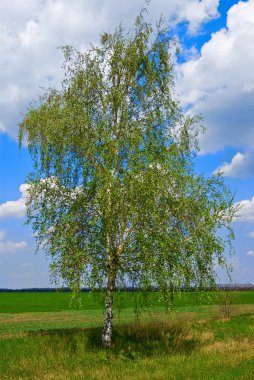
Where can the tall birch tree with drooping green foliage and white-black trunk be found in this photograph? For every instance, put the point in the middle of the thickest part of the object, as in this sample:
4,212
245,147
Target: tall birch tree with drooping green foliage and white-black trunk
114,198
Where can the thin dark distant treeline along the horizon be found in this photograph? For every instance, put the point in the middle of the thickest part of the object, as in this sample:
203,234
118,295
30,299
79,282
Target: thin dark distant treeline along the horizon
238,287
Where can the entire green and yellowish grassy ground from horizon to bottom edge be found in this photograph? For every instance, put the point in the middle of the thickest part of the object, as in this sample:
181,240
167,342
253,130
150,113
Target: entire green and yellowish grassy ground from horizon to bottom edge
42,337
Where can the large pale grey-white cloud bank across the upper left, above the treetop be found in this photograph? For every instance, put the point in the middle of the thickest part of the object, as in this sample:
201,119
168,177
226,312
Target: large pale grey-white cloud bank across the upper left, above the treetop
31,31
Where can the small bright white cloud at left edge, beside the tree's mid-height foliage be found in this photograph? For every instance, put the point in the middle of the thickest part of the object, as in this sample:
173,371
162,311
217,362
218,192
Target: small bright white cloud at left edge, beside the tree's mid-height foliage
15,209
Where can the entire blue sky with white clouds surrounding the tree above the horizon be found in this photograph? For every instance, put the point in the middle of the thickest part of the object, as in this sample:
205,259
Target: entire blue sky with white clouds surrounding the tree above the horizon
214,77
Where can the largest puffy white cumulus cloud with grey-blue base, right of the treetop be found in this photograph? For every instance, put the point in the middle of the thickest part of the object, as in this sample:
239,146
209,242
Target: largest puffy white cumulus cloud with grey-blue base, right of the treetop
220,83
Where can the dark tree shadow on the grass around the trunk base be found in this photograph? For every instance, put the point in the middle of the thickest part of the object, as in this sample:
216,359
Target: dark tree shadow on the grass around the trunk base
130,341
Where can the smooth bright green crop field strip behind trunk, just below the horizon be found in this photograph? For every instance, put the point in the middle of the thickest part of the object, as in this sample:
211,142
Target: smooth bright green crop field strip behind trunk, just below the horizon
20,302
